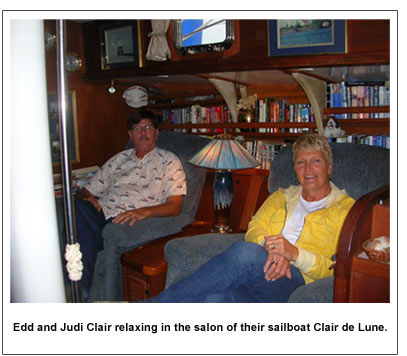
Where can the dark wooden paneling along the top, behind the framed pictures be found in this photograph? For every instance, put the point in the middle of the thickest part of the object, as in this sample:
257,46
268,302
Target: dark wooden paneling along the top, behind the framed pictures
368,43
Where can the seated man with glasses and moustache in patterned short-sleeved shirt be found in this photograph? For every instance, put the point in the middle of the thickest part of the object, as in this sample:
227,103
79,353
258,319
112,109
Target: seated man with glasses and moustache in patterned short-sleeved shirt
132,185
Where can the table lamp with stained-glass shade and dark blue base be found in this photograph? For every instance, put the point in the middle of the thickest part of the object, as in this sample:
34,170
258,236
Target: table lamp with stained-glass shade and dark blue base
223,154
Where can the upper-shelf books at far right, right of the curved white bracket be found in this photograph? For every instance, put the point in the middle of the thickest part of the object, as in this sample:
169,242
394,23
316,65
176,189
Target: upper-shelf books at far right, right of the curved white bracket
347,95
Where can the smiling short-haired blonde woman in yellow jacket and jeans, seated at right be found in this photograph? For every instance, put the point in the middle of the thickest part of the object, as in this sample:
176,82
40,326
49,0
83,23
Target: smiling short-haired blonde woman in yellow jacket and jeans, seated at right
289,242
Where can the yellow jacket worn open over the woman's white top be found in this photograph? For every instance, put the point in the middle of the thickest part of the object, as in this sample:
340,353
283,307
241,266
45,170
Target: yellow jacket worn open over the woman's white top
318,240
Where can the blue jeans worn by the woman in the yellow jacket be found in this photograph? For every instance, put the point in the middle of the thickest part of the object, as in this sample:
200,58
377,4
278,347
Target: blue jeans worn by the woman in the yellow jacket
234,276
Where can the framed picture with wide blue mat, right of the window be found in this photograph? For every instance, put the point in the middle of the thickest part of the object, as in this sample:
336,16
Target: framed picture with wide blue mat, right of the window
299,37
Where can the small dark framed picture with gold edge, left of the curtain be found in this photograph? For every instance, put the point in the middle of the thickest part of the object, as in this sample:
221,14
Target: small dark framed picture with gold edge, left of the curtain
121,45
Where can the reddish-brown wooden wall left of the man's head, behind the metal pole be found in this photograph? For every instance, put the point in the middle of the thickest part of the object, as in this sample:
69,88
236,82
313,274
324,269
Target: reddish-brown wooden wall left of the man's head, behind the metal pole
102,117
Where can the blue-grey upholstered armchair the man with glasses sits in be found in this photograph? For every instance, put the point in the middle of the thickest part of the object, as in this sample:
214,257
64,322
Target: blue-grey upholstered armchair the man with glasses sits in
107,283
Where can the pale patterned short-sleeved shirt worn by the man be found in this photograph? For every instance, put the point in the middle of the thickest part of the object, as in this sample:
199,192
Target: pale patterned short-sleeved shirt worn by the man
126,182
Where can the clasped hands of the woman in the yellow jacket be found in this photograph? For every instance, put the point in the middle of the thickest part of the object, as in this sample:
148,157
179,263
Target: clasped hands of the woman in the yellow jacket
281,252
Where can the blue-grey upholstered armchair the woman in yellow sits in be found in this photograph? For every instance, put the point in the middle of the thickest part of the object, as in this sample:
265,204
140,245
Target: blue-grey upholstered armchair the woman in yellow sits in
359,169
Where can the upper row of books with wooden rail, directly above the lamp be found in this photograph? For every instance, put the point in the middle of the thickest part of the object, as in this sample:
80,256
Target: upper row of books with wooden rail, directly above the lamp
275,119
